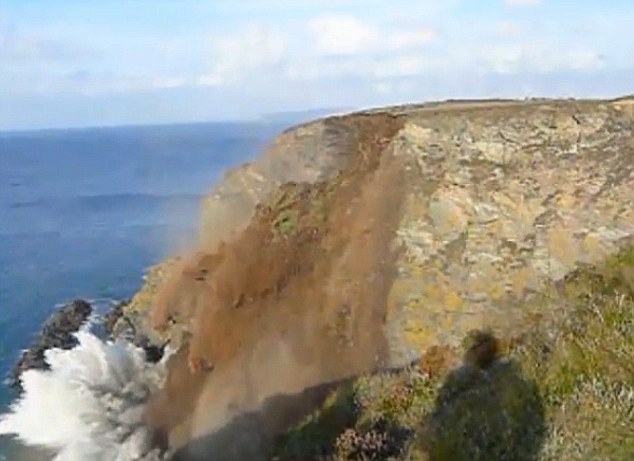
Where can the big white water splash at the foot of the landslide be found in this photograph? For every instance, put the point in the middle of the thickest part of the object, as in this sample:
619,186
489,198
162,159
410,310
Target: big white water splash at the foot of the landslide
89,405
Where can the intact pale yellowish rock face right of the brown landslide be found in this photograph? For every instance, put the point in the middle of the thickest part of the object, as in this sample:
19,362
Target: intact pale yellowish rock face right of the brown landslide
548,190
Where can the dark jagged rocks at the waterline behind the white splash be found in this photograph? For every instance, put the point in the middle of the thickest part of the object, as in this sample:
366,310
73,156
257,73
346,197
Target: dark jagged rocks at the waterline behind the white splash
57,332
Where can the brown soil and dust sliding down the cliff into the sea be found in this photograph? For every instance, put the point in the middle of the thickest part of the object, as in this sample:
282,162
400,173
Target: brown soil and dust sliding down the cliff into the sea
296,300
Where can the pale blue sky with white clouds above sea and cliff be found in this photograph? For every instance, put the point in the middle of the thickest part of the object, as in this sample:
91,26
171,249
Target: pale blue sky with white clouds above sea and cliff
72,63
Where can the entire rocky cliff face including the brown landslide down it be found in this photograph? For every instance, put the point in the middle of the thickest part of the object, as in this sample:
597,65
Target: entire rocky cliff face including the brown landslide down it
357,242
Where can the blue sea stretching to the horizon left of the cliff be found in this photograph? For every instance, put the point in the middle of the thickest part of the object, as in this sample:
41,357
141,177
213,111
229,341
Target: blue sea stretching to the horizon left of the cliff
83,212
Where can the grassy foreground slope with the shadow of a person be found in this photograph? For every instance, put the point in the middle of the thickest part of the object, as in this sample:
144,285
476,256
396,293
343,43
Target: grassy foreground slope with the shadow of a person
563,390
